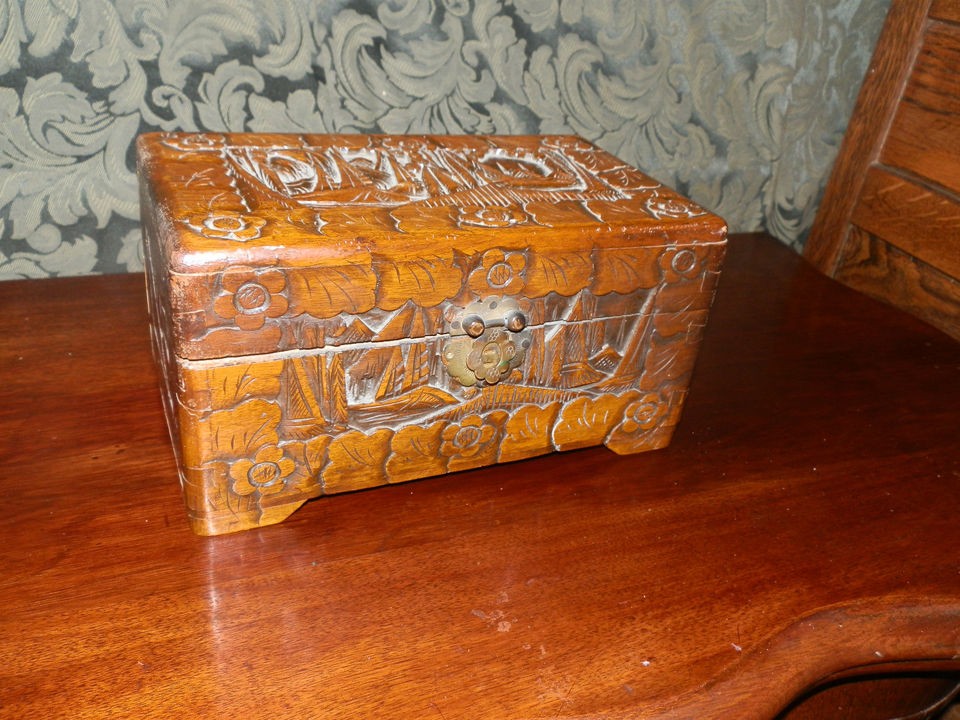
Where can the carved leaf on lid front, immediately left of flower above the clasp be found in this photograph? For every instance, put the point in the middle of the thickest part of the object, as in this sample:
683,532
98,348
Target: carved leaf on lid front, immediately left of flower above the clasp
426,280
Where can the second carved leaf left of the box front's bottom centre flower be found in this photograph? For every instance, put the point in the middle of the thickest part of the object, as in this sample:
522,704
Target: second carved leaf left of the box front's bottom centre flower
356,460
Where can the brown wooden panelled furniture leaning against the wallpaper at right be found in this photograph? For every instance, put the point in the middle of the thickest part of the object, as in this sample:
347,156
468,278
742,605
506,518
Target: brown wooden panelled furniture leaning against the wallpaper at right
889,223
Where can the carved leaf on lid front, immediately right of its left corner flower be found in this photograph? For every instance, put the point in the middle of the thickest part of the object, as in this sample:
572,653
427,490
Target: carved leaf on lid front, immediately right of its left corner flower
327,291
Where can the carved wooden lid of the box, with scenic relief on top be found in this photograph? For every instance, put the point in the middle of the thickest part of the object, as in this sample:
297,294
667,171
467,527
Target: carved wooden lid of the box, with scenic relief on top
247,235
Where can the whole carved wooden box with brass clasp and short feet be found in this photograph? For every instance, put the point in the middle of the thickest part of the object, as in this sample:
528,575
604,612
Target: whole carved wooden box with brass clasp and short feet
335,312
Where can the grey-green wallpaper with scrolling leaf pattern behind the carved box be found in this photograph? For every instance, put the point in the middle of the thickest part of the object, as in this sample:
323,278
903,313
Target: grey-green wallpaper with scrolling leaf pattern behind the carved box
739,104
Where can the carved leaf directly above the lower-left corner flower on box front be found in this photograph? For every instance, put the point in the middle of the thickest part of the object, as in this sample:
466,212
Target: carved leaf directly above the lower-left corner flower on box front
237,431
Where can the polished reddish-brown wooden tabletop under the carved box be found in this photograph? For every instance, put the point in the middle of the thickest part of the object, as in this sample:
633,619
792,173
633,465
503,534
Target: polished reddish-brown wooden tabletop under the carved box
804,523
